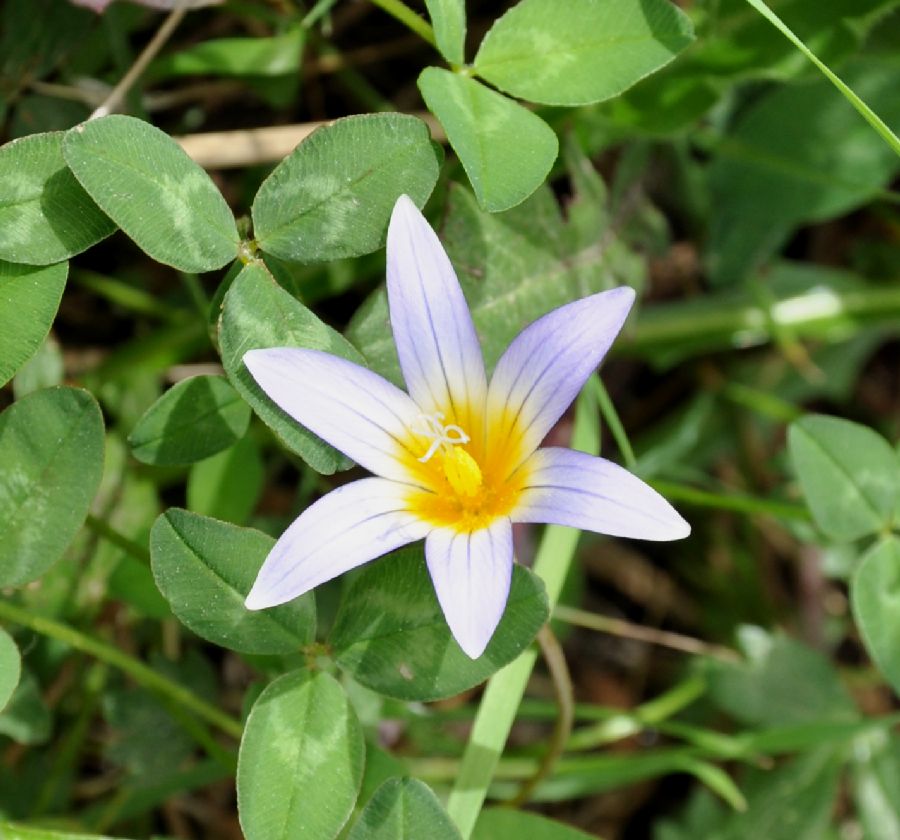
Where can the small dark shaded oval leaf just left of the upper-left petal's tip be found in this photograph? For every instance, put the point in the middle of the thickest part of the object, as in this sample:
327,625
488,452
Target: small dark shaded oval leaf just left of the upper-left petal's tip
193,420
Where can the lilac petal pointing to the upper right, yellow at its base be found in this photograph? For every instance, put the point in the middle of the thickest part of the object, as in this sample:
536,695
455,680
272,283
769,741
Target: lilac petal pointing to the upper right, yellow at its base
545,367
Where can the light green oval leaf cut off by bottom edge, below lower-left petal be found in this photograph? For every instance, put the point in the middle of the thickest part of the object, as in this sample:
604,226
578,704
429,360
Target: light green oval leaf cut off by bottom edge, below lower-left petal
301,760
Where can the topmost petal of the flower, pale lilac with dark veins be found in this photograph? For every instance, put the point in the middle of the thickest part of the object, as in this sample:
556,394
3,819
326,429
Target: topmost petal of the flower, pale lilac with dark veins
436,341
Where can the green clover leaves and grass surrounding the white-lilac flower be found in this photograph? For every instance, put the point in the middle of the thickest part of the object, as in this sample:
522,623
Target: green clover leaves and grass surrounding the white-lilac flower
742,683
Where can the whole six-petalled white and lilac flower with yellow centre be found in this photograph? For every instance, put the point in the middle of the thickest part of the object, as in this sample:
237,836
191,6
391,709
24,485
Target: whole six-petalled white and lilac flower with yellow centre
457,458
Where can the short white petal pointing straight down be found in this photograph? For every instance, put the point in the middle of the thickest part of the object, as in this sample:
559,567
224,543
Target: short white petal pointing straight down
471,573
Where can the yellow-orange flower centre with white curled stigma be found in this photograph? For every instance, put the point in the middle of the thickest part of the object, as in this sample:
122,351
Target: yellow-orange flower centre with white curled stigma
461,484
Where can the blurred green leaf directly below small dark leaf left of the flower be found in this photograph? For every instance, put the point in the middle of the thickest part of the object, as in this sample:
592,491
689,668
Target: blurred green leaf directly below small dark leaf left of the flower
228,485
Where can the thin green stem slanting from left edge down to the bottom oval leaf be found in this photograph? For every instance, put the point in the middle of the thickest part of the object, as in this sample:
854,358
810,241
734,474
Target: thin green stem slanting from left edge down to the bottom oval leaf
139,672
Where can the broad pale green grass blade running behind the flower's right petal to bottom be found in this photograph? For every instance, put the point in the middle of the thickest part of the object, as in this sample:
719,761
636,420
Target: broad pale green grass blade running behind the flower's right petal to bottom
505,689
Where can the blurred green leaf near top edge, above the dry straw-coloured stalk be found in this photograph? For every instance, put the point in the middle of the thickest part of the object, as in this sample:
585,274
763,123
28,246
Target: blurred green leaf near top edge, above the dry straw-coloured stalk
275,56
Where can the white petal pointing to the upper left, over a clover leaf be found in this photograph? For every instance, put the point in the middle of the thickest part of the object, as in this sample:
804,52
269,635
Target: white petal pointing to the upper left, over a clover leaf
355,410
